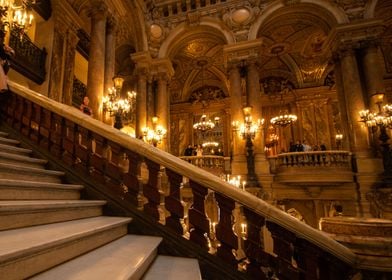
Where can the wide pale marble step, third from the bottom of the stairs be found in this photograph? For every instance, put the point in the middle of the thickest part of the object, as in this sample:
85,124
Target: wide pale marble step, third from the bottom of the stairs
27,251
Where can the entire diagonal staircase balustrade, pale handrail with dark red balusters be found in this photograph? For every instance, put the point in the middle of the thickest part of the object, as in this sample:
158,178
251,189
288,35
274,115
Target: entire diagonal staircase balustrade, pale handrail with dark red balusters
116,161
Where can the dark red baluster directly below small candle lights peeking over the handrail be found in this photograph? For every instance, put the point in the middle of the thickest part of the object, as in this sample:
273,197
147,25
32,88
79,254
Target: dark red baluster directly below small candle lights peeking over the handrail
224,230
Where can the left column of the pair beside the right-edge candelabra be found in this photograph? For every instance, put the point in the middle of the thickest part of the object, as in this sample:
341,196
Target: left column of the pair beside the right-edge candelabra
358,132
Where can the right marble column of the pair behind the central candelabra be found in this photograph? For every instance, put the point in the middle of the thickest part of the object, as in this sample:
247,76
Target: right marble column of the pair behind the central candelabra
254,100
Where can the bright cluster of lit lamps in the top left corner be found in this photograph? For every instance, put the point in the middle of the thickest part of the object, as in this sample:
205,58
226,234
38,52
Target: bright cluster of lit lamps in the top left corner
16,15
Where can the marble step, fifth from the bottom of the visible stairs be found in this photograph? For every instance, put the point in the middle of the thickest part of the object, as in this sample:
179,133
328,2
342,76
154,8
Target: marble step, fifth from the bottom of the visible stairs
27,190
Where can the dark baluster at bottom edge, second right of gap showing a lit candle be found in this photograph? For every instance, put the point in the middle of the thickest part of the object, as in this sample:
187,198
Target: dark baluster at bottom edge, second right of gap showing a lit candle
284,247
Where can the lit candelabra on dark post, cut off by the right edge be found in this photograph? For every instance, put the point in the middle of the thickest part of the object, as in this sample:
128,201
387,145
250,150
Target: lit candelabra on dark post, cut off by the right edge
381,119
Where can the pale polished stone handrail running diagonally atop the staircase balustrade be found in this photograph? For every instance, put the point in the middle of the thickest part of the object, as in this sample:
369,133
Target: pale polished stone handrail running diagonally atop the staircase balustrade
194,173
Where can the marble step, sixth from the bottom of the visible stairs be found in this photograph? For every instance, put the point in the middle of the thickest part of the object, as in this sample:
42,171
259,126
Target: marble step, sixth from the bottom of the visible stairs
11,171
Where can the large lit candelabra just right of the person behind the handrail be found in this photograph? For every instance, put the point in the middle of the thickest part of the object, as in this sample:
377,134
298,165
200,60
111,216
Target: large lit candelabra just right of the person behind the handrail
117,106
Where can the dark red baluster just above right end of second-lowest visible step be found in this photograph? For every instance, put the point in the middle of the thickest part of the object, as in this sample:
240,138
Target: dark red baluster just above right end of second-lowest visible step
151,190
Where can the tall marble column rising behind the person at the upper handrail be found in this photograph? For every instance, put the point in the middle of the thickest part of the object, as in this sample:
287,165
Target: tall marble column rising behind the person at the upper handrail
96,63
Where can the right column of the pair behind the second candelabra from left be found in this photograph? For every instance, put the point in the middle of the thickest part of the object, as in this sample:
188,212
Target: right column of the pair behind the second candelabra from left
163,110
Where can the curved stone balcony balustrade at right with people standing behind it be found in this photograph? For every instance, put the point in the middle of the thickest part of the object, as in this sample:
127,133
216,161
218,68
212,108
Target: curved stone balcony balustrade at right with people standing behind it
324,159
